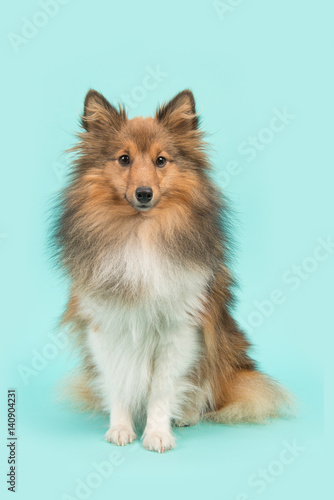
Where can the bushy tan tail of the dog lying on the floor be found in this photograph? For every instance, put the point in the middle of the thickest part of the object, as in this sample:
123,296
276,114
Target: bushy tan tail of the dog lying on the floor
253,397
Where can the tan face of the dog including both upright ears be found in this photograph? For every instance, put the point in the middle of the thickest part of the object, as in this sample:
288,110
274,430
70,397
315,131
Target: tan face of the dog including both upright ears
142,160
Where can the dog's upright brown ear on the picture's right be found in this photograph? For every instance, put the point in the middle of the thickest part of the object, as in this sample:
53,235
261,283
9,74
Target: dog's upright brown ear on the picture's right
179,113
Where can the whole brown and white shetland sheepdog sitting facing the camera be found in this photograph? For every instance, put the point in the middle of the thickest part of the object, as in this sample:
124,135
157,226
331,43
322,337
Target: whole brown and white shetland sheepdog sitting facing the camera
141,233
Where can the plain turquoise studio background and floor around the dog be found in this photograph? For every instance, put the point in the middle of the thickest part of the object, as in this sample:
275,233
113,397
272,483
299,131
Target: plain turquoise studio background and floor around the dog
242,65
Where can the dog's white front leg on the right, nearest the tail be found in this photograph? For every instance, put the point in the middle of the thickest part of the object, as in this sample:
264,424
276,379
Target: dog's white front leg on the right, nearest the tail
173,360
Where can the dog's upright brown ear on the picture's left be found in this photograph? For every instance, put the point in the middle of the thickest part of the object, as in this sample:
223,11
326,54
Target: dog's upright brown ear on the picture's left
99,113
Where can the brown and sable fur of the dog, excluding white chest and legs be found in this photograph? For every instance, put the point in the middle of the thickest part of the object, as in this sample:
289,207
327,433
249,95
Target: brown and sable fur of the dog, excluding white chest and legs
188,223
